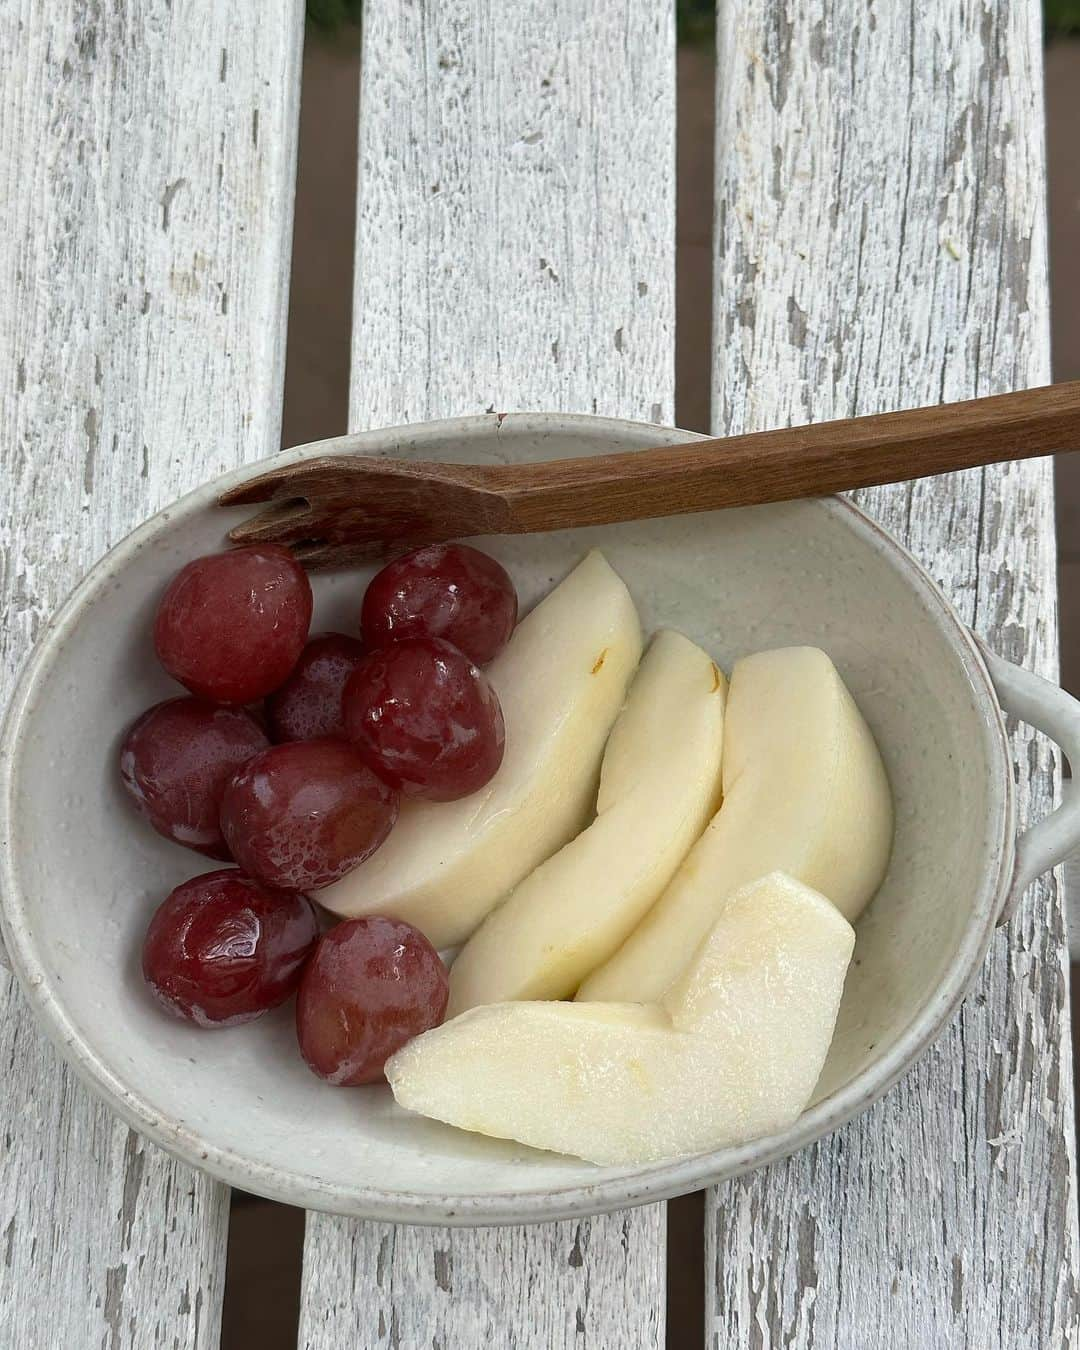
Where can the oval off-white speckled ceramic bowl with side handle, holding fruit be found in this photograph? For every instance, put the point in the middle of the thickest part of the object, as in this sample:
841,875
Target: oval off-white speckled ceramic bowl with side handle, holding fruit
82,875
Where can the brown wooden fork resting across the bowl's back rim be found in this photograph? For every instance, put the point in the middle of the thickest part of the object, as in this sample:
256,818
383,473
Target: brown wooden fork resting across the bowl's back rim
340,510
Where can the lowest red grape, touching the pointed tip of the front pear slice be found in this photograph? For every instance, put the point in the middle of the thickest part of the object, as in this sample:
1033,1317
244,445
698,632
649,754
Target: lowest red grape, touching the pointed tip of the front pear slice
372,986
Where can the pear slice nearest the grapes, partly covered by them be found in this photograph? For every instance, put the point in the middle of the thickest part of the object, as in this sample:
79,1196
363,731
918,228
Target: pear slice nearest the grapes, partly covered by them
561,680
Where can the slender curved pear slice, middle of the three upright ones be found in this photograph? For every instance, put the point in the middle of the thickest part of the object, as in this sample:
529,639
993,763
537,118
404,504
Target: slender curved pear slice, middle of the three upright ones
659,786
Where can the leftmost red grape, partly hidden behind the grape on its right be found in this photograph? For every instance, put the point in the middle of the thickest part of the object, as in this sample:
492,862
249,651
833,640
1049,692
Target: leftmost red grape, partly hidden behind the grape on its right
176,762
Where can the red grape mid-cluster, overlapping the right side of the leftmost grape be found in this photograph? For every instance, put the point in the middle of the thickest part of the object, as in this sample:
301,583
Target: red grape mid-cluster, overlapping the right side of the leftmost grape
303,815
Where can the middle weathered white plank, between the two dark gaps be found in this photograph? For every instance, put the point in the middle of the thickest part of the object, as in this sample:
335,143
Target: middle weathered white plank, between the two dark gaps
515,250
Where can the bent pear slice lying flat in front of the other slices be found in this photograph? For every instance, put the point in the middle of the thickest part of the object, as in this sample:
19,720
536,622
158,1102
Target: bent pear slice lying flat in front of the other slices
732,1054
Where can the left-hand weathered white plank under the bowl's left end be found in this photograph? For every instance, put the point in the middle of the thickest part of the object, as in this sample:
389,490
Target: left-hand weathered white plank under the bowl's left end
146,169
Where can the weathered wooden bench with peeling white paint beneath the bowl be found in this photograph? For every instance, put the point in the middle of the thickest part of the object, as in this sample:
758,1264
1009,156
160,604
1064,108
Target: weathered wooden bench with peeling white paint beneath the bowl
880,242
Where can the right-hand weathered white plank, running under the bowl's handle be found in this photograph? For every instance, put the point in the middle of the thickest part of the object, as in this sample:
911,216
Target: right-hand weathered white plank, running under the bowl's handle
881,244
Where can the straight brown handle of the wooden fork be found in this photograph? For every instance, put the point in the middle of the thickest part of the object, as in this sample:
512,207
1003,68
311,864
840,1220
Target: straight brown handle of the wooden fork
784,465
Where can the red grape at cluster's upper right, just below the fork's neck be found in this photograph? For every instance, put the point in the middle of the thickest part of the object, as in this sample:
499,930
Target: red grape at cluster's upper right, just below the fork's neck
443,591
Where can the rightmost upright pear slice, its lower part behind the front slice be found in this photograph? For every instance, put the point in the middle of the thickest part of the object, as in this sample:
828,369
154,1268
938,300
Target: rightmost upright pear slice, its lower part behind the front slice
805,793
